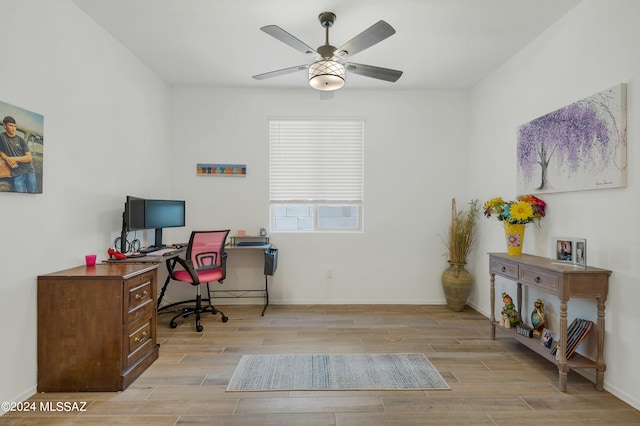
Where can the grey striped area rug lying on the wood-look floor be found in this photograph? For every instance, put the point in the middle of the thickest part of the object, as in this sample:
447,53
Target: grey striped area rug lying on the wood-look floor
335,372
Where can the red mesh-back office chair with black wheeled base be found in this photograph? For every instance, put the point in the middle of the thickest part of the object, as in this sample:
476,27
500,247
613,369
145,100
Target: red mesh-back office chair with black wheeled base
205,262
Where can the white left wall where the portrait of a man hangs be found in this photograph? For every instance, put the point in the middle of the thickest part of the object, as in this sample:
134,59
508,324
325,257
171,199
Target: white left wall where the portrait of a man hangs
105,119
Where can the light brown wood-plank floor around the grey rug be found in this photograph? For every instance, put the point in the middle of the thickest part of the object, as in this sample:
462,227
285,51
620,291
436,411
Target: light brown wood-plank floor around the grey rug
492,382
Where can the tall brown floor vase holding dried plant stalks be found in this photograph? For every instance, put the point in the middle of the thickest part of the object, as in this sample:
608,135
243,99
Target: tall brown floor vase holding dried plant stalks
456,280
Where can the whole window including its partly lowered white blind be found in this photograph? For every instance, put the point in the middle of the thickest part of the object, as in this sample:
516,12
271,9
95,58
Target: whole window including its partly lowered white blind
316,175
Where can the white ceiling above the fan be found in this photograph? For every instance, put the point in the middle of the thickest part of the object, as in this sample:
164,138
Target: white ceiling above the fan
439,44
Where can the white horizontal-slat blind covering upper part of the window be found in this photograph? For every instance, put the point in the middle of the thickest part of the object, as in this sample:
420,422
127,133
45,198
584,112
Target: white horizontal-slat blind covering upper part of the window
316,160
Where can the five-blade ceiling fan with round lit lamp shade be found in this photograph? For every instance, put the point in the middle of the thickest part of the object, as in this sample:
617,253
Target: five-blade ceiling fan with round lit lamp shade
328,71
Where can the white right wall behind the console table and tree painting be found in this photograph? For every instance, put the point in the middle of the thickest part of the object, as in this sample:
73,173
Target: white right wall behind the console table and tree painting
592,48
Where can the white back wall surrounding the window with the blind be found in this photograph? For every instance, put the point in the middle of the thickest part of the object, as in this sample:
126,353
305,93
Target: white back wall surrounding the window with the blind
413,140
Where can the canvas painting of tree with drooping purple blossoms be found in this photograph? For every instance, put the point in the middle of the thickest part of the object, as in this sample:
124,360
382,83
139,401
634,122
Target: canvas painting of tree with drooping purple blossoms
578,147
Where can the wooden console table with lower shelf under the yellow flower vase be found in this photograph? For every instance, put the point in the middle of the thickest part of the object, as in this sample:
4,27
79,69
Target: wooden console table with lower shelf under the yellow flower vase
563,281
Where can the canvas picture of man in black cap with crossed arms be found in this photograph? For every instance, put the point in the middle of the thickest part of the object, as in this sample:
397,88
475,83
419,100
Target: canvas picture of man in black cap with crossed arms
21,149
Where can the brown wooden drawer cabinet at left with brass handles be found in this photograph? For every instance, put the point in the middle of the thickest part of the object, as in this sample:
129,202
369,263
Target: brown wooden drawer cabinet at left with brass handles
96,327
